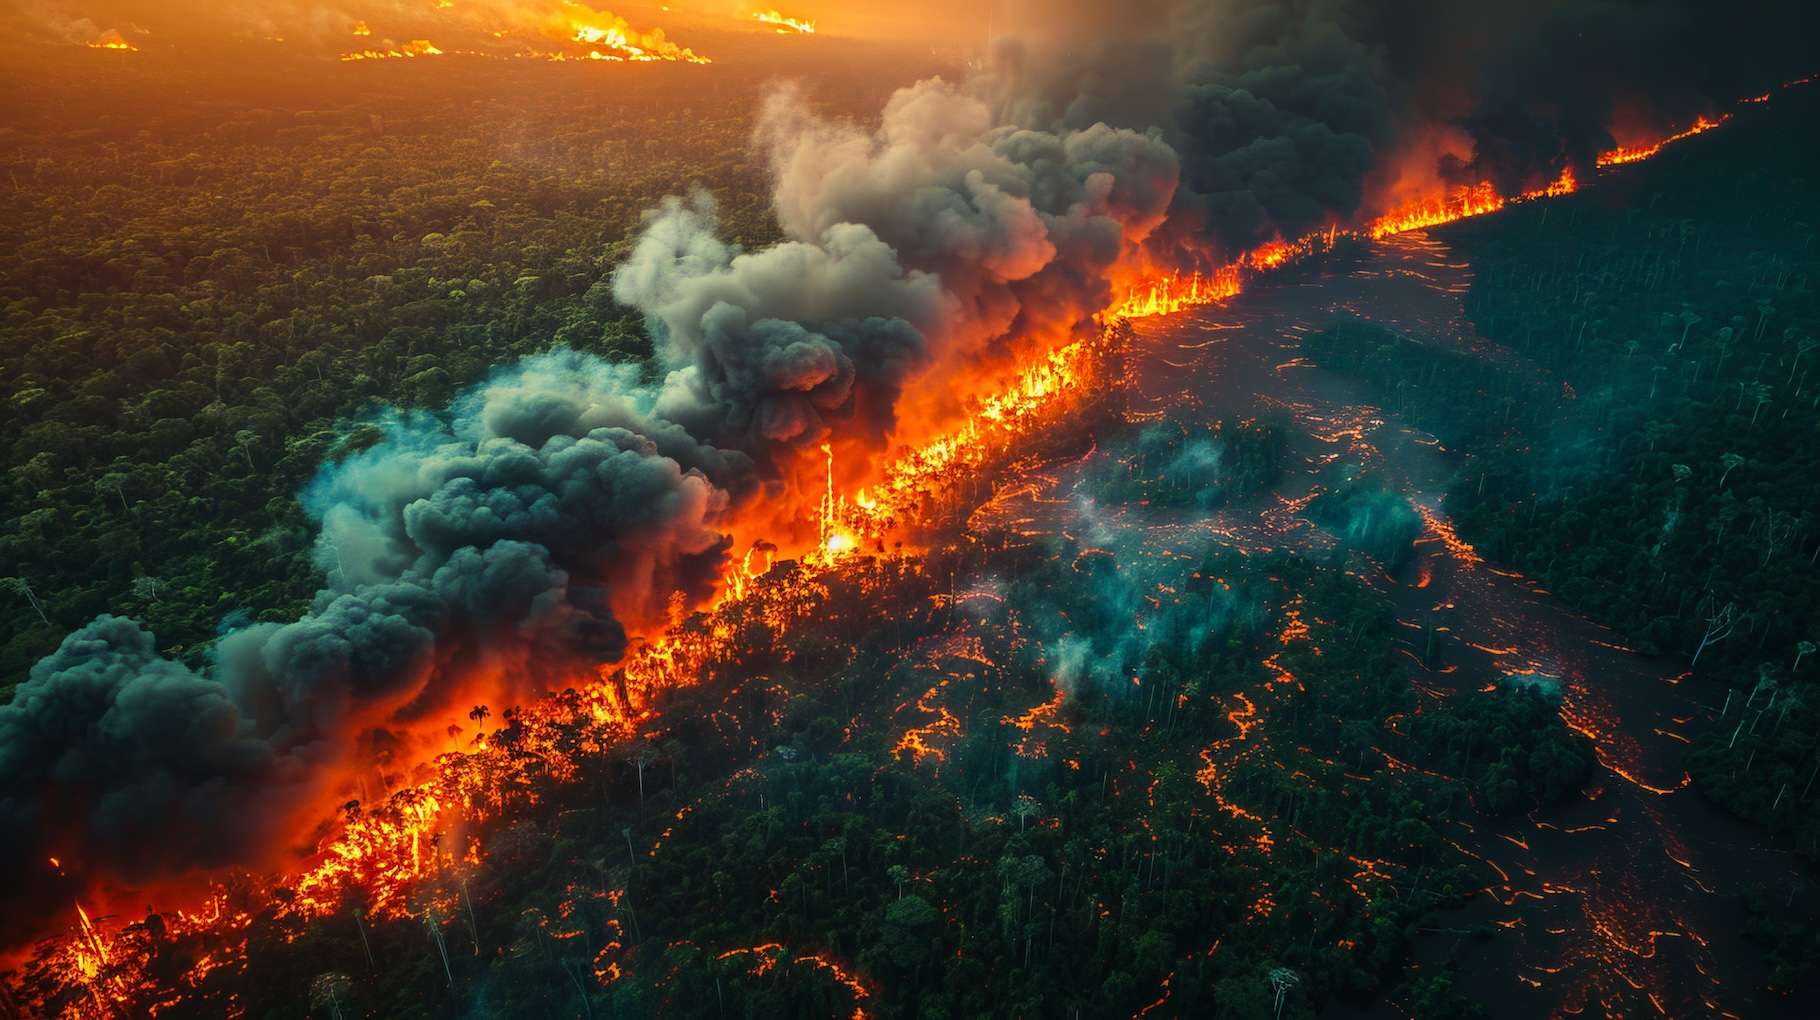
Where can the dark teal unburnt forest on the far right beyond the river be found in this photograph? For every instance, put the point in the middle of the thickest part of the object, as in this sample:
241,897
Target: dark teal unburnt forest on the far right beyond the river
1648,444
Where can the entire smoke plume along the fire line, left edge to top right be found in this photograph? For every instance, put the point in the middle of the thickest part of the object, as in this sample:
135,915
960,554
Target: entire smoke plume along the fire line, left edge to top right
509,549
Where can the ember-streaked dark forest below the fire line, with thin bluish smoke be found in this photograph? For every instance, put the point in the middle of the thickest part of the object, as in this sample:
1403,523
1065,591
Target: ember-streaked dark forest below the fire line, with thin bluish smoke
813,751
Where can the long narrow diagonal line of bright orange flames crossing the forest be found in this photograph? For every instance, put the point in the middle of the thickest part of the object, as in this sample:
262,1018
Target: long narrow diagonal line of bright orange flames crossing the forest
383,853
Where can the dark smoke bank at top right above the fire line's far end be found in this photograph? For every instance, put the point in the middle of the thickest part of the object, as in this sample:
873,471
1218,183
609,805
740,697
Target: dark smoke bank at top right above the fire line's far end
1291,116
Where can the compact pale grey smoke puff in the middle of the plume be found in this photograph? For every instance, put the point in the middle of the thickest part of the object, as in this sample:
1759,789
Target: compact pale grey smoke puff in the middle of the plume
771,351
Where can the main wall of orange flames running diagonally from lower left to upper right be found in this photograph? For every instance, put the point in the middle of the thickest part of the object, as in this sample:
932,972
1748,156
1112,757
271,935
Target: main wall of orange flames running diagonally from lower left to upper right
390,855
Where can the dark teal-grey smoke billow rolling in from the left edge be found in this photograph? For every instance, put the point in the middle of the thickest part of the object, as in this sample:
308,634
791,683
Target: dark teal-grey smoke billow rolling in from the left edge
496,556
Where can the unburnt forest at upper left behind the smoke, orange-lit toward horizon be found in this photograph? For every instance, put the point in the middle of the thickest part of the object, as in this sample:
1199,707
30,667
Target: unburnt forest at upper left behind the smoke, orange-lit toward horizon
201,300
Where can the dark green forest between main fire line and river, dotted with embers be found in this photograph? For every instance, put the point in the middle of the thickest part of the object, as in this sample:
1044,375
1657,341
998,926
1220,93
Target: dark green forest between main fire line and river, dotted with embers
1182,839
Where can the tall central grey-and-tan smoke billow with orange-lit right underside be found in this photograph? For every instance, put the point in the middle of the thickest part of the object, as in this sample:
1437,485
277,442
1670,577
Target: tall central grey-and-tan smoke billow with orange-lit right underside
918,256
